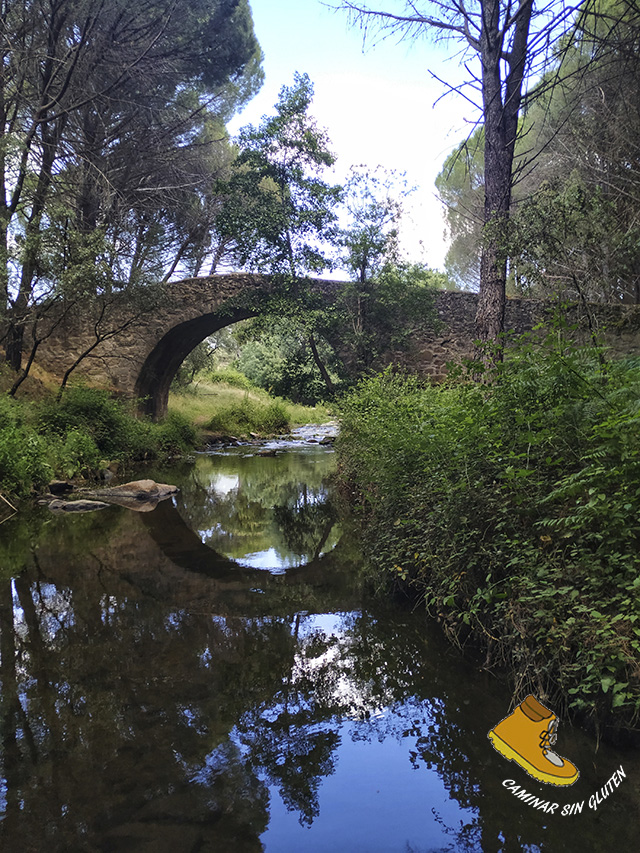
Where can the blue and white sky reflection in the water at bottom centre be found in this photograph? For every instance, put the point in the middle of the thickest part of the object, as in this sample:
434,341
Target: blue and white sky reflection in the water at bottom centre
378,798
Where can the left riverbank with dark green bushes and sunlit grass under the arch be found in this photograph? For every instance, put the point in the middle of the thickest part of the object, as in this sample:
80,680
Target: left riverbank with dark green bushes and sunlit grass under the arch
89,435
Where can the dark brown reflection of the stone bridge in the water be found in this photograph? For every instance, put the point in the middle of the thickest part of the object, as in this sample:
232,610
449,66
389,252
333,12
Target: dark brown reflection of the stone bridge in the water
157,554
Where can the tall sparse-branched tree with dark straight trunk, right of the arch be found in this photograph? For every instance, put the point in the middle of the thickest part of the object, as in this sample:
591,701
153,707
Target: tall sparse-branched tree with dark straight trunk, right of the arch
509,38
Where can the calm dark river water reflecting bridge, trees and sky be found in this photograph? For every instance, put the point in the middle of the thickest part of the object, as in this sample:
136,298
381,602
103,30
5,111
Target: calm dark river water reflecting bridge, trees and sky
218,674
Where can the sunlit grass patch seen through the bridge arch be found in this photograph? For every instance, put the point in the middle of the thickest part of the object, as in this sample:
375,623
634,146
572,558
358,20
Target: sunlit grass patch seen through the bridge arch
225,409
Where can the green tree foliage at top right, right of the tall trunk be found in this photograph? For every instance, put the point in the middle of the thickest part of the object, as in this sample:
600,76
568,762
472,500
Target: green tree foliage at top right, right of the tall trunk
577,231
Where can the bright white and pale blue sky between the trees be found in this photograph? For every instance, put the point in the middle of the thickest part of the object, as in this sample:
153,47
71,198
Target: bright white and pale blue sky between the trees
378,102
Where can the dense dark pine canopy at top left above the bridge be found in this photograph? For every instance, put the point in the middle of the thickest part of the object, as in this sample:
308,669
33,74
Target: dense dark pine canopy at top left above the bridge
112,121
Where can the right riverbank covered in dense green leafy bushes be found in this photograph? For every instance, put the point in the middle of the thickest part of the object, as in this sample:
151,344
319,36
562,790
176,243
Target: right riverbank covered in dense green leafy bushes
512,511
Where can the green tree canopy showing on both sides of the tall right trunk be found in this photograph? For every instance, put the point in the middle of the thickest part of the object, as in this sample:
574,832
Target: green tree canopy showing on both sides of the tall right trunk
574,206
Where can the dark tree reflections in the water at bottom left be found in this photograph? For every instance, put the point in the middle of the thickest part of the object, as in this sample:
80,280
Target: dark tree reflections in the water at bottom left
99,739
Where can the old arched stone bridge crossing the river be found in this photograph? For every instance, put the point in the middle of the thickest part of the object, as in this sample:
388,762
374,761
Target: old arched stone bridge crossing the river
136,352
